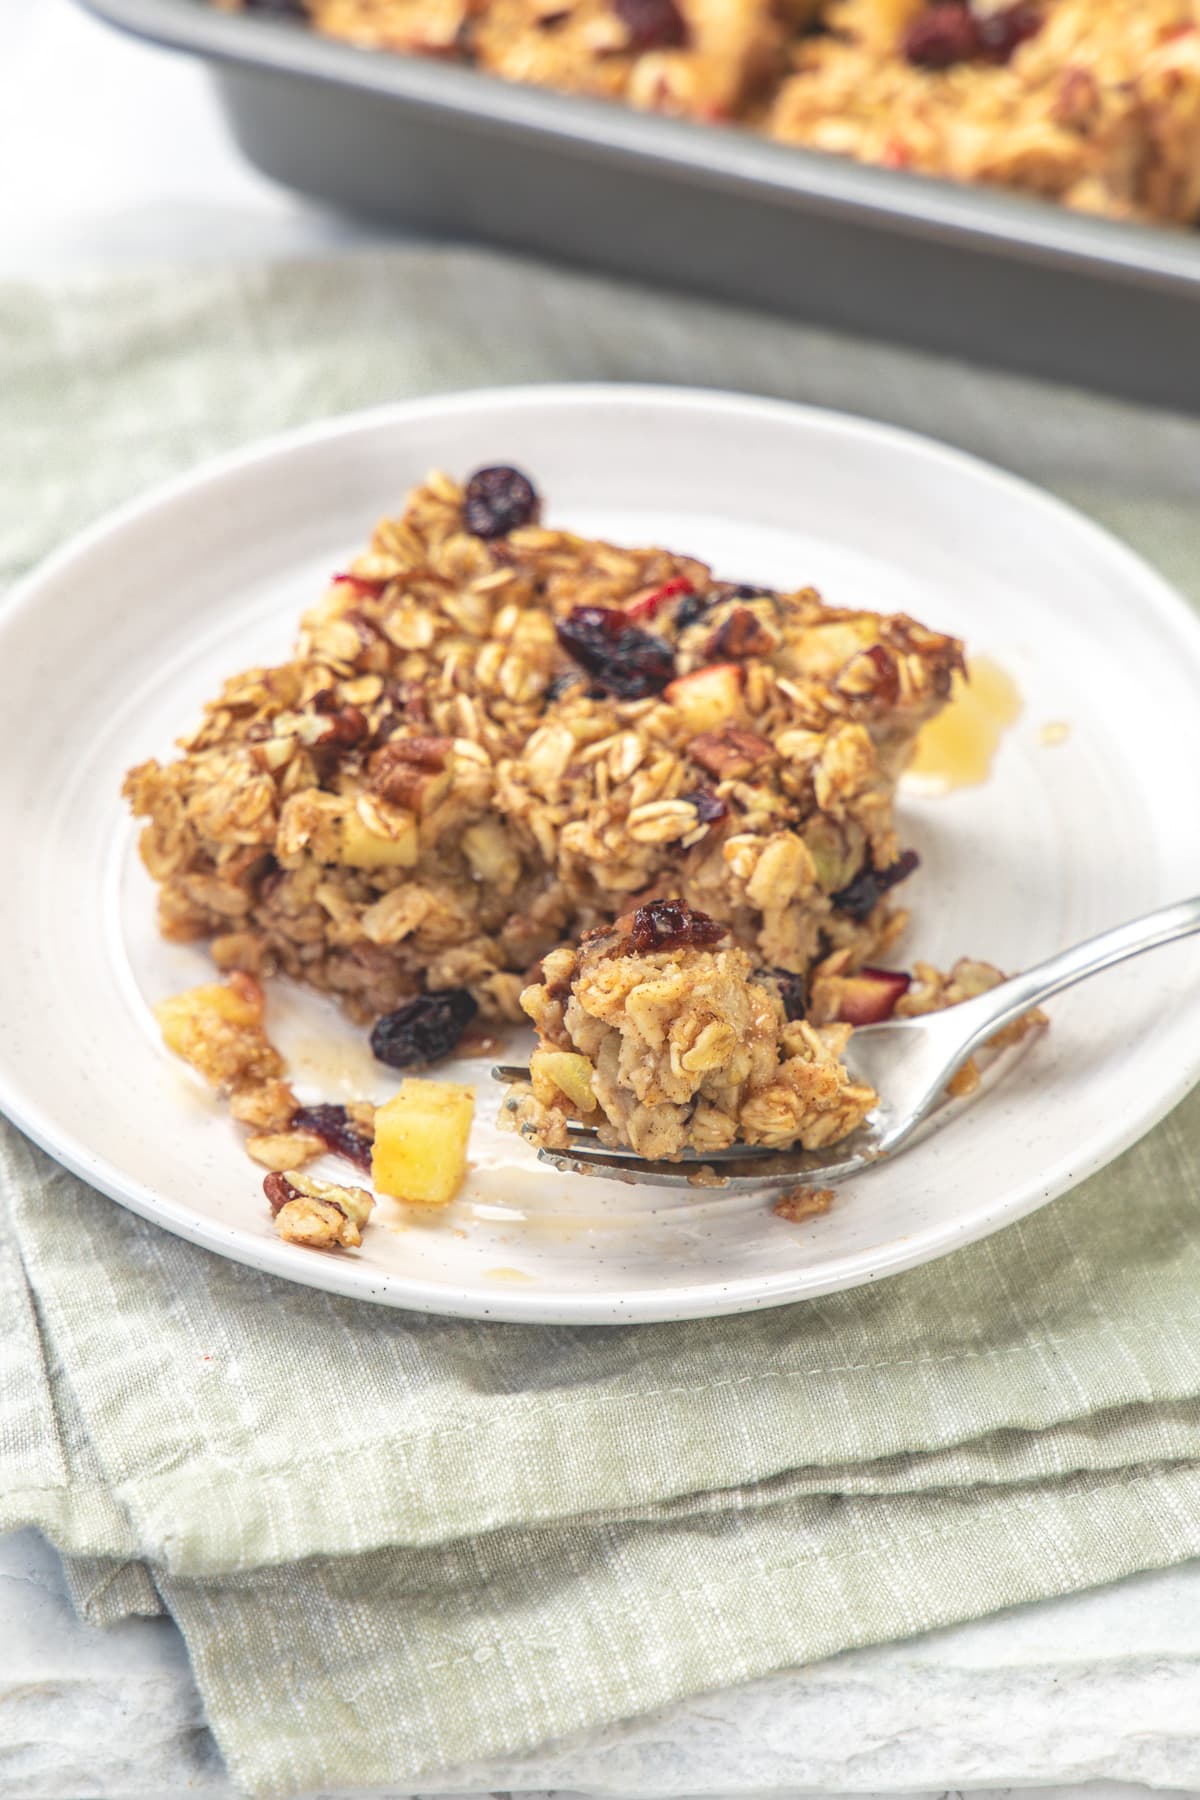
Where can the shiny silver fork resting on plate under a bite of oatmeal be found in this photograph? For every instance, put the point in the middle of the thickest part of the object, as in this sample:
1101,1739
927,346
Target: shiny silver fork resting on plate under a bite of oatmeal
908,1061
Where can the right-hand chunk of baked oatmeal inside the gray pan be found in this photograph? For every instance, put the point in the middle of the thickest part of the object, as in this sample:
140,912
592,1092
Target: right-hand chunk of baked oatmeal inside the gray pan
1095,103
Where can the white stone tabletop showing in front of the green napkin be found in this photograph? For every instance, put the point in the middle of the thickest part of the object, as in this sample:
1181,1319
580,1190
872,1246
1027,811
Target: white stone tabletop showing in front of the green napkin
1102,1687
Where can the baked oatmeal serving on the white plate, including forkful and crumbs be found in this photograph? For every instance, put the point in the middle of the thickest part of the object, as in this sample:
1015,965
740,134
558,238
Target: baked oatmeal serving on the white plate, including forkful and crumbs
512,771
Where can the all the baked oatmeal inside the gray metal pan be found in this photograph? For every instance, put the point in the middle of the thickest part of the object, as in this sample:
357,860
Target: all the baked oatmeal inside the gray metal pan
1093,103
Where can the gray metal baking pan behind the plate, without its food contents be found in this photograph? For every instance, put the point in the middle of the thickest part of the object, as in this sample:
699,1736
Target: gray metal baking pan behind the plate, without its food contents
458,154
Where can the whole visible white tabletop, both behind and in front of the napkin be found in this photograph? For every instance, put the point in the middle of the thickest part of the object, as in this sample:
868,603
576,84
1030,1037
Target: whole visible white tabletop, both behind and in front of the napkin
112,152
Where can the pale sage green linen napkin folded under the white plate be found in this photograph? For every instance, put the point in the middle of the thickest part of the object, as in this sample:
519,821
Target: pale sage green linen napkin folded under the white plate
400,1543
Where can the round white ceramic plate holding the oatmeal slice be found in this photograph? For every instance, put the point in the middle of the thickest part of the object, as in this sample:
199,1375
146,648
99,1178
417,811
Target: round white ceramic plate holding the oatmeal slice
107,654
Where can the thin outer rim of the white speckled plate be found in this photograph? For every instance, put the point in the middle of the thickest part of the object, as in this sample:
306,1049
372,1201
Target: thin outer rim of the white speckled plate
1161,611
